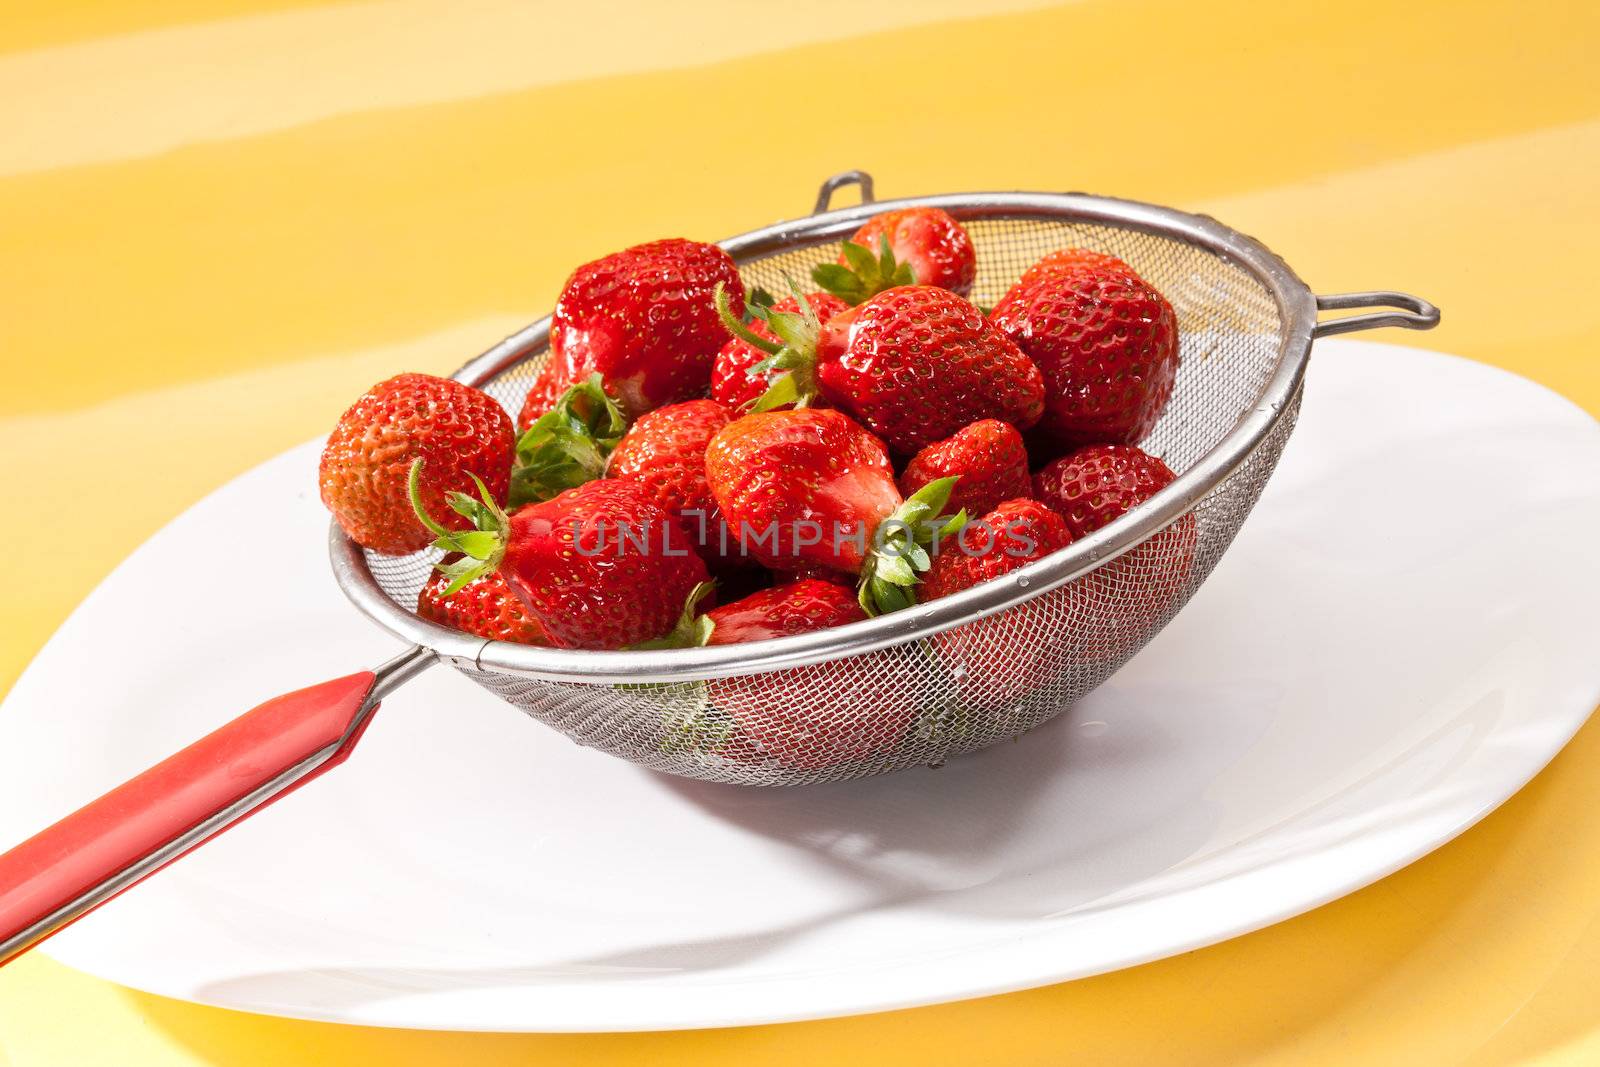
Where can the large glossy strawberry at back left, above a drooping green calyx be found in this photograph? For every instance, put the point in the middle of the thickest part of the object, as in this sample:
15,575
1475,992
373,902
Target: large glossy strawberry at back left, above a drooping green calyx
644,321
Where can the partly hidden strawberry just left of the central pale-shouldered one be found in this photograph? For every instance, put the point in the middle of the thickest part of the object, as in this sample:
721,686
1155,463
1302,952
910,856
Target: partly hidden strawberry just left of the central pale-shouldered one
666,454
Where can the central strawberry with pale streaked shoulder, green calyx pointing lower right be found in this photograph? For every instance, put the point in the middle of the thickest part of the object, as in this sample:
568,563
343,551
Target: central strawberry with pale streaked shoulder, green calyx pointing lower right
812,487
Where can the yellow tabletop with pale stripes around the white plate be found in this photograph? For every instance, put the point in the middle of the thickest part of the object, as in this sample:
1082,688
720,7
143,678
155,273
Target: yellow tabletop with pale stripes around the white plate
223,220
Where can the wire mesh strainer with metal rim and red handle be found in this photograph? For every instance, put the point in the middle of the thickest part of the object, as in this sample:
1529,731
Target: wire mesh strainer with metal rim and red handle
905,690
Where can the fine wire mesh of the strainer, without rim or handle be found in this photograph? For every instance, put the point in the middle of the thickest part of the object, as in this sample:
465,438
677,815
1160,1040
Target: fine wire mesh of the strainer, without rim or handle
990,681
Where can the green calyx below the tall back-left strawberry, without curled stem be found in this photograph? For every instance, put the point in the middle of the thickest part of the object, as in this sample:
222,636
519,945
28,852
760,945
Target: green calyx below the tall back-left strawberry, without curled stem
567,446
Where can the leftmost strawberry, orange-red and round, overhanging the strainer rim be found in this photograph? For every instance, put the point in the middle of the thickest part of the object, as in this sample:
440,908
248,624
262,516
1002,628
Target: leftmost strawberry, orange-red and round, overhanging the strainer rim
457,430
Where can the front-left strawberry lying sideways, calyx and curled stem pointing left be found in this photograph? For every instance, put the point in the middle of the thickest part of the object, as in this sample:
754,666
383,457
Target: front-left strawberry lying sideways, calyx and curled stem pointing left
601,565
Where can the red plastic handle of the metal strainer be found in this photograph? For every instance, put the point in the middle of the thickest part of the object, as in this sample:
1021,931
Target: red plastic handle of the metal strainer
66,871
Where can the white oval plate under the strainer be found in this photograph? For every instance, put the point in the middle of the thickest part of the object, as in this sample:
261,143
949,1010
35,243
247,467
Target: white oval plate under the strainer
1404,634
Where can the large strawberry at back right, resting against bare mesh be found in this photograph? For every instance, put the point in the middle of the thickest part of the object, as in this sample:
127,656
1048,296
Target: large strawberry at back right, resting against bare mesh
1108,346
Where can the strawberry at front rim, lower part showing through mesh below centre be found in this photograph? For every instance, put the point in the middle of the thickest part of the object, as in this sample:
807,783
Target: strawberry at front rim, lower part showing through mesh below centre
780,711
